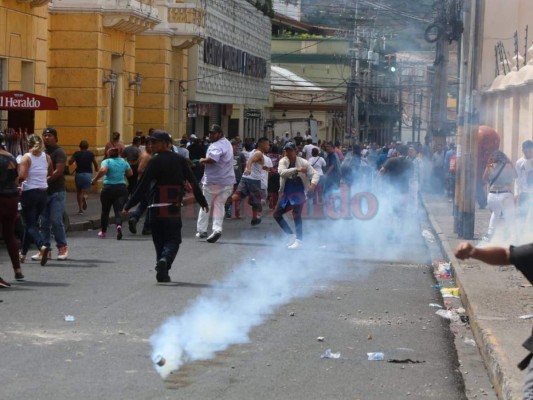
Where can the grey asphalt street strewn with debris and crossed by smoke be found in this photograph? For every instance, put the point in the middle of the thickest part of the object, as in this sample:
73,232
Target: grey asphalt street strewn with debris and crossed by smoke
259,320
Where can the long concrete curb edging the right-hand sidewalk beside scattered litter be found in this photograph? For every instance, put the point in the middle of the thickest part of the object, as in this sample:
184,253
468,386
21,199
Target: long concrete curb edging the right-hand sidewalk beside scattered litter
490,350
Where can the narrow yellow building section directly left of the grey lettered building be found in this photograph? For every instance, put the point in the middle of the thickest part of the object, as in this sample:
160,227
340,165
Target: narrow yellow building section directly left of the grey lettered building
162,61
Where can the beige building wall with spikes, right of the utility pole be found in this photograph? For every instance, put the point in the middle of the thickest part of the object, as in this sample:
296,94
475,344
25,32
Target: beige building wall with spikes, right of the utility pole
505,99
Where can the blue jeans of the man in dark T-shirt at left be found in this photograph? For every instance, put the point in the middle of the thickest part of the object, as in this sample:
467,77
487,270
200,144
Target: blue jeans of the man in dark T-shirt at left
52,219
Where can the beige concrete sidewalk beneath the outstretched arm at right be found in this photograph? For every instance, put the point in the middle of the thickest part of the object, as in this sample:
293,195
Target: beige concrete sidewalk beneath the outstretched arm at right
494,297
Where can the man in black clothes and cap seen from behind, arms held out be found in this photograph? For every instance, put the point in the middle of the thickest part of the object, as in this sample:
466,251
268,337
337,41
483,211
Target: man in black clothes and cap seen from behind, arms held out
165,178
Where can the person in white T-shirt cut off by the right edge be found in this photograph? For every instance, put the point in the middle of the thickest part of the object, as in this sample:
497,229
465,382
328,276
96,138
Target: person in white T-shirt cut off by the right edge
524,182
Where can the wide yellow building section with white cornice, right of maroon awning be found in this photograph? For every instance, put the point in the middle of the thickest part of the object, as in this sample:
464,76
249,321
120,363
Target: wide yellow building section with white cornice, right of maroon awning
92,71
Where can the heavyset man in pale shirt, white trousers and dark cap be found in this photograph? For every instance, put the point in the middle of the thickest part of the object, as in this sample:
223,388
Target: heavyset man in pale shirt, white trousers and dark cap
217,183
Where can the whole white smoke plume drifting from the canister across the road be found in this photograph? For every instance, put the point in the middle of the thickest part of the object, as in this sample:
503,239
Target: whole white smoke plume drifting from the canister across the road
225,314
